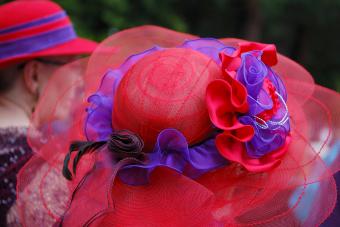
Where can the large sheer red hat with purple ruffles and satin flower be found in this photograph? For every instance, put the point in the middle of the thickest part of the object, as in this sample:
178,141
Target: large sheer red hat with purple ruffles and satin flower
170,129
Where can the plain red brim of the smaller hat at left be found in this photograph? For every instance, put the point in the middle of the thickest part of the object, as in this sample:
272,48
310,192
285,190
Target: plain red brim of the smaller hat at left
78,46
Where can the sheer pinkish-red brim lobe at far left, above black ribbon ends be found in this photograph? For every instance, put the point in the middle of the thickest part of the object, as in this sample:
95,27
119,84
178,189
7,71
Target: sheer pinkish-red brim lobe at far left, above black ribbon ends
61,108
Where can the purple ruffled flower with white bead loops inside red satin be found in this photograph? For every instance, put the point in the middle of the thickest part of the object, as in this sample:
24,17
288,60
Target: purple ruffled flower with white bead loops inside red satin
269,135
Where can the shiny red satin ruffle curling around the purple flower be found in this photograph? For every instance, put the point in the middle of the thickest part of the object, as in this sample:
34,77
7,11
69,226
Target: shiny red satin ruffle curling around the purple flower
226,99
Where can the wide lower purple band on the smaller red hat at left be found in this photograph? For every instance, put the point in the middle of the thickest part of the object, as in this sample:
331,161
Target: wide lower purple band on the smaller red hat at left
37,43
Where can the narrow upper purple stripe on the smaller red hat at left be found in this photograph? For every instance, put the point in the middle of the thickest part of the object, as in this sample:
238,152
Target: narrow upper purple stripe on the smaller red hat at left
37,22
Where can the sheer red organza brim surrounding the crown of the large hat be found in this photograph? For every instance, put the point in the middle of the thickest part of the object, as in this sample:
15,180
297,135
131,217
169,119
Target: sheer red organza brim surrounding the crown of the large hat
229,196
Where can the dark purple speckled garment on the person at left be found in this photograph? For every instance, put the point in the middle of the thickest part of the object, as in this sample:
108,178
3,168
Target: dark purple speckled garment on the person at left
14,153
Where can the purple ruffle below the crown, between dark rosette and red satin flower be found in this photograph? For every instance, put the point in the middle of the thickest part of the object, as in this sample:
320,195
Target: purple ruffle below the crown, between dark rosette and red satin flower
171,150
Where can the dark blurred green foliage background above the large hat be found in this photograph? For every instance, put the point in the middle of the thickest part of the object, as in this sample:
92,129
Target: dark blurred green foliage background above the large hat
305,30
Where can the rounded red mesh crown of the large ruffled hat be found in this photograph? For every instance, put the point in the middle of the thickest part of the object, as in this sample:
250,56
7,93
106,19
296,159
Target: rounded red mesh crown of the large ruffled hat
166,89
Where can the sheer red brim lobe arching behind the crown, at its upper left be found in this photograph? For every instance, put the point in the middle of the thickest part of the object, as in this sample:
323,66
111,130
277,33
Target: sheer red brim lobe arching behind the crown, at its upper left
114,50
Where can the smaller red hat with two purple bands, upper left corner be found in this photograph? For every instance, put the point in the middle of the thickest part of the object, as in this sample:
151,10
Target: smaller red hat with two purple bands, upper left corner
37,28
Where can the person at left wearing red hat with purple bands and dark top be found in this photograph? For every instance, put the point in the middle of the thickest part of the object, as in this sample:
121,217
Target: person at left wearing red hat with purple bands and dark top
36,38
